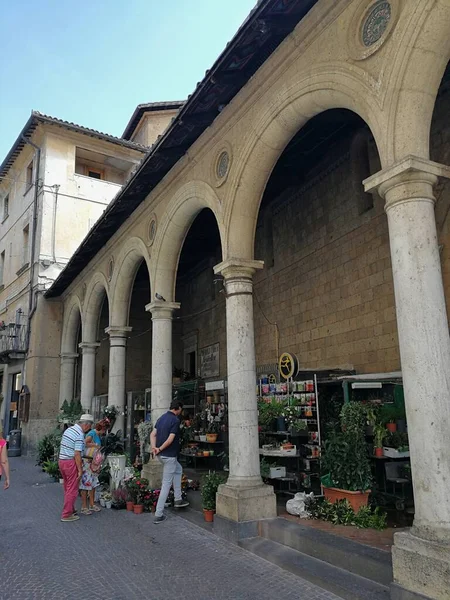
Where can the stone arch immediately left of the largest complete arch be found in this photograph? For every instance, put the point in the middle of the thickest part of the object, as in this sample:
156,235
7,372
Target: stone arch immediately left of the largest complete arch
176,221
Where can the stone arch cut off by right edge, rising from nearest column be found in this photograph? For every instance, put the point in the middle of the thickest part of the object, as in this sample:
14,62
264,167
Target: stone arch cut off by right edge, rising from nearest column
418,78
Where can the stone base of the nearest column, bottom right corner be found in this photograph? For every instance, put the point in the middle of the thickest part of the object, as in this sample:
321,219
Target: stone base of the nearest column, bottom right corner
421,568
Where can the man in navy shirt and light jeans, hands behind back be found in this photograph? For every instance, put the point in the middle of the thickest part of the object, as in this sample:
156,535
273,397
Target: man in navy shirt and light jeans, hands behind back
165,441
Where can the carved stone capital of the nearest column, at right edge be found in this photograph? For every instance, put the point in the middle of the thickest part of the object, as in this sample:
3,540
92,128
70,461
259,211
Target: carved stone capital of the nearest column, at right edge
410,179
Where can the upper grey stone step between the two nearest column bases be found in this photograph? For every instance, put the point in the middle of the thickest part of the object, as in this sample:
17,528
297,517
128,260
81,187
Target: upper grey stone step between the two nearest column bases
359,559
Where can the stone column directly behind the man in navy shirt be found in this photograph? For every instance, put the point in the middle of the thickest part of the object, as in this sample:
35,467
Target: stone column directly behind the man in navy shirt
162,368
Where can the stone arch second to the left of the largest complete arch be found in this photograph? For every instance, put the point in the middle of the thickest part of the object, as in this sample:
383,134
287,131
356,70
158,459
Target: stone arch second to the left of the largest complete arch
128,262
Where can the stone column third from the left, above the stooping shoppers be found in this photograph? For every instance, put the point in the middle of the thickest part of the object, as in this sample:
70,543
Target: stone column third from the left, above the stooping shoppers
117,372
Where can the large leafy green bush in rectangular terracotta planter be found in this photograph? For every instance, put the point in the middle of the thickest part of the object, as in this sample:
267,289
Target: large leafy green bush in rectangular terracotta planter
345,466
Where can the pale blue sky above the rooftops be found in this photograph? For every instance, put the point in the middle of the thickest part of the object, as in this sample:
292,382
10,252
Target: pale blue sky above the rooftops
93,62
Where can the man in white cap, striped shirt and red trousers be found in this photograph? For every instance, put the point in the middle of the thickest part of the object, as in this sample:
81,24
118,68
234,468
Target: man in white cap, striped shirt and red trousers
71,464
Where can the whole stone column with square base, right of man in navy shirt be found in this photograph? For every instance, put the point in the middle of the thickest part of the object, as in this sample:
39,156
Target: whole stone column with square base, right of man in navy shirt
244,497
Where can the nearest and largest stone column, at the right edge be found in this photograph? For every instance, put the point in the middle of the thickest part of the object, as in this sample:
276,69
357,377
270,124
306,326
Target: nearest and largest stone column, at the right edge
421,557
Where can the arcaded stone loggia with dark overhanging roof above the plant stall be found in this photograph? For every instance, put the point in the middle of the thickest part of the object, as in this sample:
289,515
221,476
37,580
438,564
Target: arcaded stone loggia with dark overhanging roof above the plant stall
308,172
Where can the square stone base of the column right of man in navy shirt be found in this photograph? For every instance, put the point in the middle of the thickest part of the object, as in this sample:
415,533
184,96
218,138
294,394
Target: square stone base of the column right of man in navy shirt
246,504
